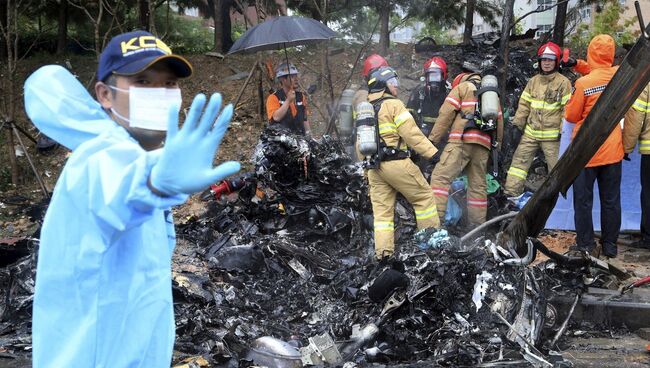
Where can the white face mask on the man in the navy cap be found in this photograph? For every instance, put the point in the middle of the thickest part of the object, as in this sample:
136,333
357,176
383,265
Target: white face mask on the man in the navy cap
149,107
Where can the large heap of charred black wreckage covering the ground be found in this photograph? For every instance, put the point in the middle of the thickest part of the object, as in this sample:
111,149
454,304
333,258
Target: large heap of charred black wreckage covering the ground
290,280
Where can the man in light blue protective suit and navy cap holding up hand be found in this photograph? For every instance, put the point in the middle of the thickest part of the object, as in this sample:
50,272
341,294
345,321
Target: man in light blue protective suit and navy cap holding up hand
103,284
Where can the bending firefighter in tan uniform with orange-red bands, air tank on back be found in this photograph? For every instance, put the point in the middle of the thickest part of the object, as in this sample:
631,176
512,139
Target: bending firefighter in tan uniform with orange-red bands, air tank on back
468,148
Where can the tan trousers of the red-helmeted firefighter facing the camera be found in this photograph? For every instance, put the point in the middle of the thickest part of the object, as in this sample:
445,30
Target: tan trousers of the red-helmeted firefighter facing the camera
523,158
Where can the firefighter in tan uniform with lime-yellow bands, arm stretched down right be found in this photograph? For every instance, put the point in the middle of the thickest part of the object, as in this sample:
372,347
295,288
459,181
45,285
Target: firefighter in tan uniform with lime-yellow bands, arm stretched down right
396,172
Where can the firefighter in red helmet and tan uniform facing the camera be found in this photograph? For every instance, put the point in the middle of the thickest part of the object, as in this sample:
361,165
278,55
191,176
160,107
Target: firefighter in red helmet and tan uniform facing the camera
539,116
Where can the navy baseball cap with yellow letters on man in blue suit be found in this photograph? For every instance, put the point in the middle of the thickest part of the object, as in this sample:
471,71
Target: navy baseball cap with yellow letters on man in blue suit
133,52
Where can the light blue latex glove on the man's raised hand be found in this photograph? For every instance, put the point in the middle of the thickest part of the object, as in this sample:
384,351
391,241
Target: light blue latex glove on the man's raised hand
185,165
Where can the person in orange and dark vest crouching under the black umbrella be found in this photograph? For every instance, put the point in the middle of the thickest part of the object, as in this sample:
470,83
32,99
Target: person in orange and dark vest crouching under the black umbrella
287,106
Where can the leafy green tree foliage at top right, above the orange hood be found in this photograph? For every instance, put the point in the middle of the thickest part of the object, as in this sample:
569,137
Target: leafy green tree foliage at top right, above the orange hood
607,21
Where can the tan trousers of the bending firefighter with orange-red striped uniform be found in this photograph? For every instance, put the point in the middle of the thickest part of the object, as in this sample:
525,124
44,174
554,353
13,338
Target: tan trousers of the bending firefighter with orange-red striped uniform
456,157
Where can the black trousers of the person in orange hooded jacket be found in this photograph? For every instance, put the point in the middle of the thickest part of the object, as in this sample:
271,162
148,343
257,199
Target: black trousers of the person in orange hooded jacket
609,187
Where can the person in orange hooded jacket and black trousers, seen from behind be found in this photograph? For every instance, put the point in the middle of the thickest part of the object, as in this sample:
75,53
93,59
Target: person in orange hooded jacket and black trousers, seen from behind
605,165
